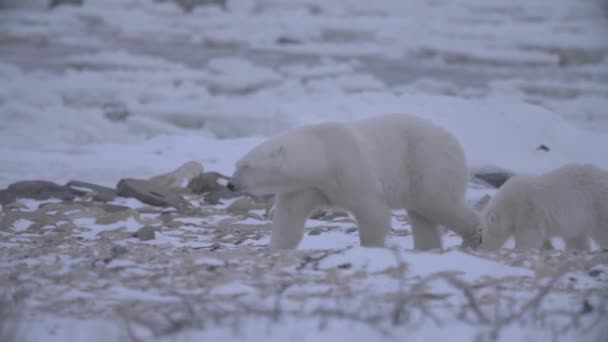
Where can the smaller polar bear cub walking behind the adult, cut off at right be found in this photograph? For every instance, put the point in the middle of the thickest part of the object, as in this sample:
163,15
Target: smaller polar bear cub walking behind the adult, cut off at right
570,202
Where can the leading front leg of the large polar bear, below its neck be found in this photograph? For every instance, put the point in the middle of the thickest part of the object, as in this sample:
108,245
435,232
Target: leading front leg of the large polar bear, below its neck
290,214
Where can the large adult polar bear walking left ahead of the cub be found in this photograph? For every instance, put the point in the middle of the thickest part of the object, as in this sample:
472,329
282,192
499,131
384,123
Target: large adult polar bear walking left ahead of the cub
366,167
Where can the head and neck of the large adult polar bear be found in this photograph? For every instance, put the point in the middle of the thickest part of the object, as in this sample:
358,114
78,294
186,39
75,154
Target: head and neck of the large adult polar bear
281,165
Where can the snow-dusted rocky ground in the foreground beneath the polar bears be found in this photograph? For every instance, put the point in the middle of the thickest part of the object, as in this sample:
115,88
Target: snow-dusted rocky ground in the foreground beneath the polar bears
161,270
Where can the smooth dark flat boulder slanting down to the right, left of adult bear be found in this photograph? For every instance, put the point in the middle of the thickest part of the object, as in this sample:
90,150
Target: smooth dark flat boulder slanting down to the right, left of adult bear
151,193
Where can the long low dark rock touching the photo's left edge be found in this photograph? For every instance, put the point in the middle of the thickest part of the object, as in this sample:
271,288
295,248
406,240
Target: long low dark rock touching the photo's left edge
36,189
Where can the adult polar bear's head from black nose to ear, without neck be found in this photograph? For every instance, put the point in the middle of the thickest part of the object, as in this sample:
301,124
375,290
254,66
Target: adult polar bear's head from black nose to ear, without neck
261,171
